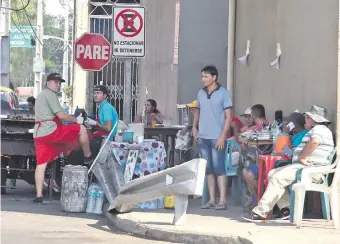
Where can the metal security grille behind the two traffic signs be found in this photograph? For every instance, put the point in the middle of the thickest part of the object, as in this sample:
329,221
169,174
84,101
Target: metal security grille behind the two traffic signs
120,75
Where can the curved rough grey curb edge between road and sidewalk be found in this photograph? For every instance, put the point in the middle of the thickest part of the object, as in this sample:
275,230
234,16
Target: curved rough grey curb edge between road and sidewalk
142,230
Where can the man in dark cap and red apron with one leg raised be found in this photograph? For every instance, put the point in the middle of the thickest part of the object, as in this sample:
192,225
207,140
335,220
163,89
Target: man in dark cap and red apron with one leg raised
51,137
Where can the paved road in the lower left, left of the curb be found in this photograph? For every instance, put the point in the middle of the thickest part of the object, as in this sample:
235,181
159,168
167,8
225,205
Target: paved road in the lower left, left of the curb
24,222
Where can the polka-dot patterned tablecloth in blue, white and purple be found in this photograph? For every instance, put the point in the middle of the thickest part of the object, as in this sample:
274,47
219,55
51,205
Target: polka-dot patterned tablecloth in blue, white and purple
151,156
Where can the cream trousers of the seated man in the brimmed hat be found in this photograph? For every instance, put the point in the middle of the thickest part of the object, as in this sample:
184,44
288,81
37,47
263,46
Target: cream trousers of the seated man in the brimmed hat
277,191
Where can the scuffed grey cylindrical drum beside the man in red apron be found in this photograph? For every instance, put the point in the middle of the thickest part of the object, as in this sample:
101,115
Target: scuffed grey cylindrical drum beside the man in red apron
74,189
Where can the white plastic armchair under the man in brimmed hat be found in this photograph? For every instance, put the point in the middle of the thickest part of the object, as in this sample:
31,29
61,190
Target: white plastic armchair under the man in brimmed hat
306,184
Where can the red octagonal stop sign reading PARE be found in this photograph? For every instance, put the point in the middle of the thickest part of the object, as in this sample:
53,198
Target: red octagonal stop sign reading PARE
92,51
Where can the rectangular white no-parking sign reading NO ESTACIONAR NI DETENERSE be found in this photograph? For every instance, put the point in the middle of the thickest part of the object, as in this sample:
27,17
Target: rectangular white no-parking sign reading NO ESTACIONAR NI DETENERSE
129,31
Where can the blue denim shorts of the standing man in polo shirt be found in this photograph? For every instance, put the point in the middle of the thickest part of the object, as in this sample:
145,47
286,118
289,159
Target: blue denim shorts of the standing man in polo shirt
215,159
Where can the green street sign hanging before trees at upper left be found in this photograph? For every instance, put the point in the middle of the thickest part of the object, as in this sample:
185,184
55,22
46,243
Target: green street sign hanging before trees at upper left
20,36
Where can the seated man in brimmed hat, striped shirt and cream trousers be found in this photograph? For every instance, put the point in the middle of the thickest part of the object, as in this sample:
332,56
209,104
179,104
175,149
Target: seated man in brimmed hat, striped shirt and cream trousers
313,151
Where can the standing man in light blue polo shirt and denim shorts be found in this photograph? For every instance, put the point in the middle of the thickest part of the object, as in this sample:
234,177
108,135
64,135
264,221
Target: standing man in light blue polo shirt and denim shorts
213,117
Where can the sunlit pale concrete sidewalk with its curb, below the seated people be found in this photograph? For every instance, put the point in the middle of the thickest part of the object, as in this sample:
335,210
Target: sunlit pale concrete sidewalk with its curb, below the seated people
224,226
